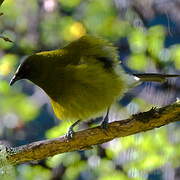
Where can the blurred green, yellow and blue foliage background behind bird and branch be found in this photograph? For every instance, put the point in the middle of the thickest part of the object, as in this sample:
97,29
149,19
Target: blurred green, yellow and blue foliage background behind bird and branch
147,34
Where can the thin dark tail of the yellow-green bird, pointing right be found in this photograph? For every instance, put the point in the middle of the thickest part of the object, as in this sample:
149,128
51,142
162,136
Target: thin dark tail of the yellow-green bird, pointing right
154,77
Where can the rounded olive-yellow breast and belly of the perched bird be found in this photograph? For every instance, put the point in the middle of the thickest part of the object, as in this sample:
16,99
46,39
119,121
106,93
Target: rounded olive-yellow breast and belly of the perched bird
84,91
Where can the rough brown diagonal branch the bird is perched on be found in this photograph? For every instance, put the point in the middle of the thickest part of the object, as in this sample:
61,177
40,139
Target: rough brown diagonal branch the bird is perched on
85,139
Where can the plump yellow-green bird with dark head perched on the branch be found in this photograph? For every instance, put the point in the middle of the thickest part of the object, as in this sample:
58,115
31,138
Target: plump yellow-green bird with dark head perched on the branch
82,79
